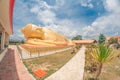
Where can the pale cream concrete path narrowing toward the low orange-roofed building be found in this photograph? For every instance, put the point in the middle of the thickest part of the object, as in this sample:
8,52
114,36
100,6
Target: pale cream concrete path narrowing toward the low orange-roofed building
73,70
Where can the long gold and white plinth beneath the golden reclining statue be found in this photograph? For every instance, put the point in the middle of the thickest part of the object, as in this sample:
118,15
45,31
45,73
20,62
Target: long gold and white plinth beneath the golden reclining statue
26,52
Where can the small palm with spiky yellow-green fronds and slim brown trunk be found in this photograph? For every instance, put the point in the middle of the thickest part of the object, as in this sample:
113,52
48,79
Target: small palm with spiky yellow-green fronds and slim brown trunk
101,54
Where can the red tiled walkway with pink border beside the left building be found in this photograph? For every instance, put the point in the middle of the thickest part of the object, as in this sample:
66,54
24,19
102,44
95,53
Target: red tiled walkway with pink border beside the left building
12,68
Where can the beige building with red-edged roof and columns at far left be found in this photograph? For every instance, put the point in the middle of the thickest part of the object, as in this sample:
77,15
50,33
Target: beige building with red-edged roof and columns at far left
6,29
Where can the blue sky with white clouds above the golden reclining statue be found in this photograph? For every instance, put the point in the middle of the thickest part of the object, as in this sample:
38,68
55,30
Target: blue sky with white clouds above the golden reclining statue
88,18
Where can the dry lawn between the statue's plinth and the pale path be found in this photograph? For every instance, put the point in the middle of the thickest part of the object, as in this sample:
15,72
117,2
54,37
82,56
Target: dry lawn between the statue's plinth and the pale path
50,63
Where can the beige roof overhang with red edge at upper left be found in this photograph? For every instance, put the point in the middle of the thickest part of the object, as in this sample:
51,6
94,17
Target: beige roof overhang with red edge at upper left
6,12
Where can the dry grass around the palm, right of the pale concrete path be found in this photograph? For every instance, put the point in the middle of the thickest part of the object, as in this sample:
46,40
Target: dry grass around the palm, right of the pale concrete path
110,71
